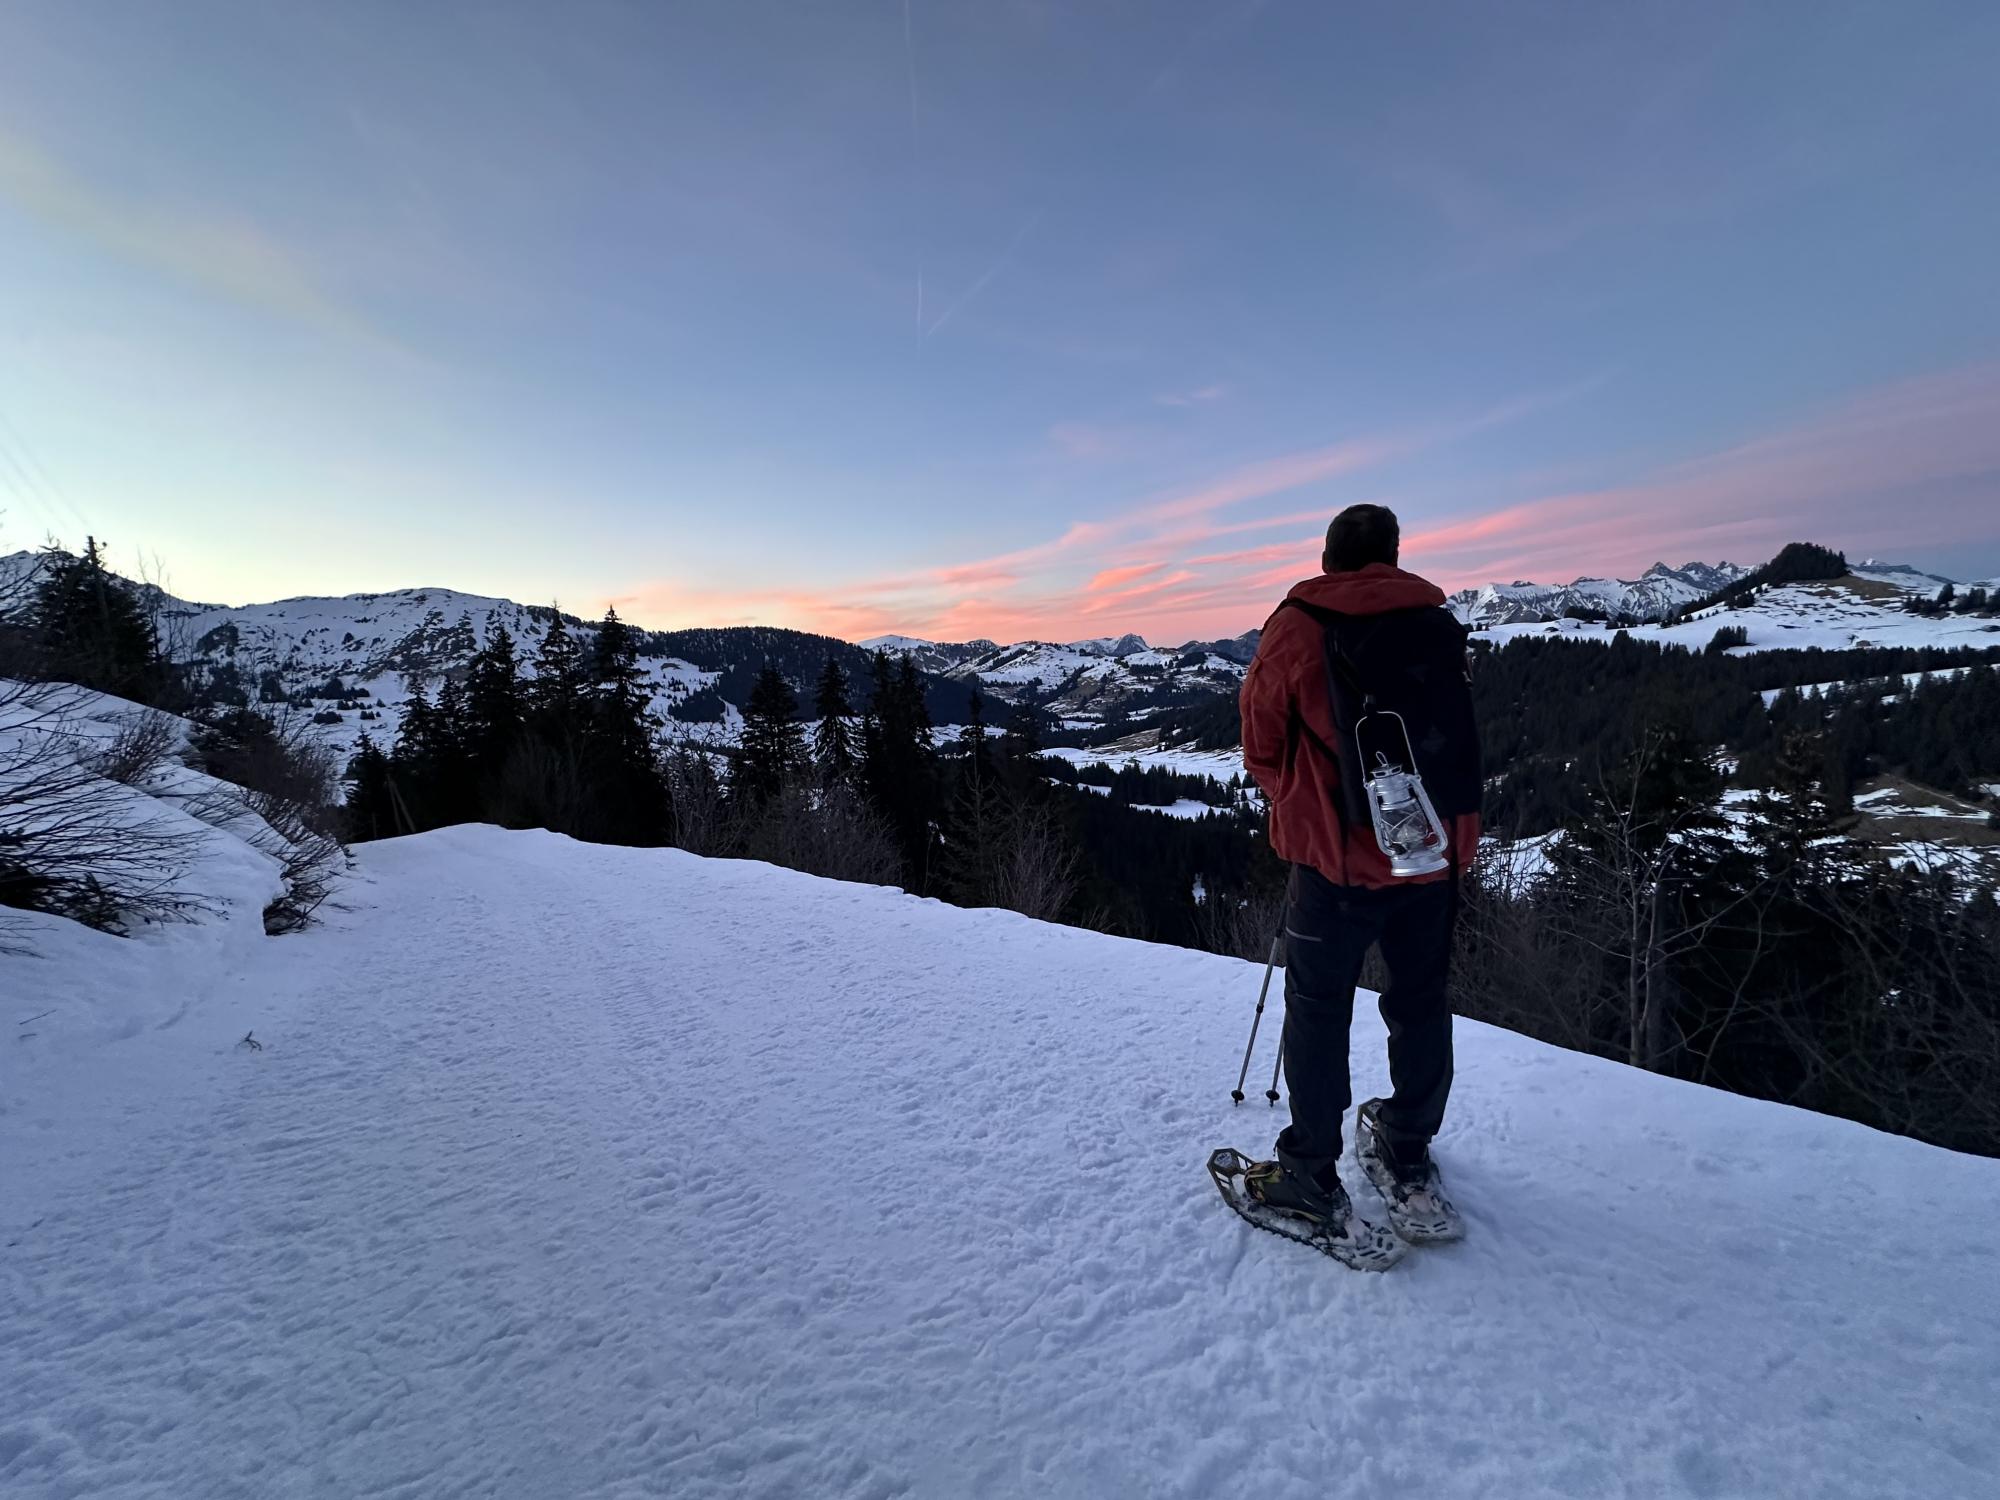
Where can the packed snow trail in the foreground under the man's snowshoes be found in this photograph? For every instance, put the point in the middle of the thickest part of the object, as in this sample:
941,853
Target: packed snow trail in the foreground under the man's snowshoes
579,1171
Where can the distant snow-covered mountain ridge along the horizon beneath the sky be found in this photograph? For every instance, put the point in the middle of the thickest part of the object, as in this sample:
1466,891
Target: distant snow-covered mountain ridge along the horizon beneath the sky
365,653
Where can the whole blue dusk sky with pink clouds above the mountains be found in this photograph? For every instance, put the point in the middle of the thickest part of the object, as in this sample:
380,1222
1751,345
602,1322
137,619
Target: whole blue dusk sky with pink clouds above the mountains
987,317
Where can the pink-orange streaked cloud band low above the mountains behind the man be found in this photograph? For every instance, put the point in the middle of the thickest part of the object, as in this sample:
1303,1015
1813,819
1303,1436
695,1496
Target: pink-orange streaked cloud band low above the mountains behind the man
1893,469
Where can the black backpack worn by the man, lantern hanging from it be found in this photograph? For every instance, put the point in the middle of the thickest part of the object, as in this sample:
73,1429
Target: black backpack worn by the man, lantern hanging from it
1409,663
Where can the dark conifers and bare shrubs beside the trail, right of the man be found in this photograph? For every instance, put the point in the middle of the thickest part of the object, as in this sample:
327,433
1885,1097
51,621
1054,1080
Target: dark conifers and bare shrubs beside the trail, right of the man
1773,959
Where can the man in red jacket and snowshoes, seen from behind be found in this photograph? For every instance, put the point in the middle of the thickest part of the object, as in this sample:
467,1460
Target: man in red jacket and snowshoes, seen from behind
1357,631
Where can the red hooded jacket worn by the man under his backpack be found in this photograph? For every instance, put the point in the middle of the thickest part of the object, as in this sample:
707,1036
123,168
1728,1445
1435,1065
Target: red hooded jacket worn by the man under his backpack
1287,683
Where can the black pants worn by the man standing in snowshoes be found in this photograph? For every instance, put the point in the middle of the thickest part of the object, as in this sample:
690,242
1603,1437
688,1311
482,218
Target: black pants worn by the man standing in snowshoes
1329,933
